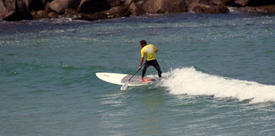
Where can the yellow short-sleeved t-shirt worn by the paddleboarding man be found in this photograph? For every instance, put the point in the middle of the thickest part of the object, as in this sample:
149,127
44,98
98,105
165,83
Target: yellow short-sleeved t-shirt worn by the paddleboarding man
149,51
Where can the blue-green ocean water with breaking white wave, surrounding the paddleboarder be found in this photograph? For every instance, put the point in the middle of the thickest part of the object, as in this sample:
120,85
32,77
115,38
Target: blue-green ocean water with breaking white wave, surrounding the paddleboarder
218,76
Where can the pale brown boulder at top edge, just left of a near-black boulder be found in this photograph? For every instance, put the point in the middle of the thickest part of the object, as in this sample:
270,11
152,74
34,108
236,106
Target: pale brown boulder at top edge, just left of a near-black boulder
59,6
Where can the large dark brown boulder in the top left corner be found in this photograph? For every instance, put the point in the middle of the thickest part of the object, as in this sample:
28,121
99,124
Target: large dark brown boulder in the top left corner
15,10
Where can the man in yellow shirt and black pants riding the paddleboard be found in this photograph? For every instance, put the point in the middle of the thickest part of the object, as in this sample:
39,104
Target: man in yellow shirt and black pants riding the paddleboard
148,50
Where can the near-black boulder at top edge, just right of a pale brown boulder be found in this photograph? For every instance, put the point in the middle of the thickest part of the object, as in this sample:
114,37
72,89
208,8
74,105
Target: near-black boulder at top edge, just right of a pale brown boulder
92,6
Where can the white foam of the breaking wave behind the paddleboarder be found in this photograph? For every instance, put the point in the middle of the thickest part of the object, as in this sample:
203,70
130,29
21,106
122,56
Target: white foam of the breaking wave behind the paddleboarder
192,82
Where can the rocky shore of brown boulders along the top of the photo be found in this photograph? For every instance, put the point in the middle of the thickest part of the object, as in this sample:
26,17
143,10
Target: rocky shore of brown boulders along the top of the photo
16,10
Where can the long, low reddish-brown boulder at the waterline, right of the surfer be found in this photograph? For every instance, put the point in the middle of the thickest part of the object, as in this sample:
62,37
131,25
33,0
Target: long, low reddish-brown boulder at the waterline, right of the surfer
208,8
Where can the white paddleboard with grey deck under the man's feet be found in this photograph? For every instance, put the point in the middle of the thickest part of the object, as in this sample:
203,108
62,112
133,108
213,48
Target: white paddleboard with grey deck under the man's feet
120,79
